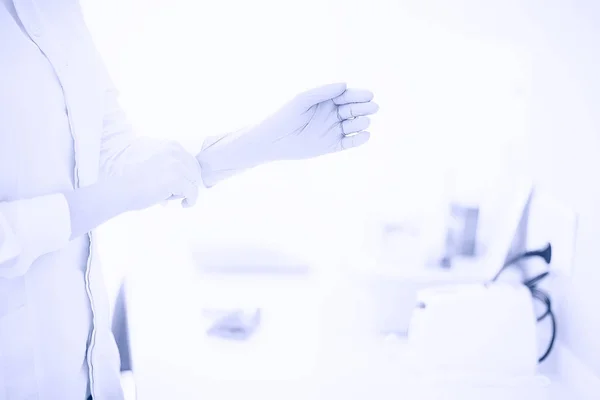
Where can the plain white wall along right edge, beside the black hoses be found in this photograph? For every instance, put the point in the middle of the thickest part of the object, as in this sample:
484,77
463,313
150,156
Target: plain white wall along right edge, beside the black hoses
565,143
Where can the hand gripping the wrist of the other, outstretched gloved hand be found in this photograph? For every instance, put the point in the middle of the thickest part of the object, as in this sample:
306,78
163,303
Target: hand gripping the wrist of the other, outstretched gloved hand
172,173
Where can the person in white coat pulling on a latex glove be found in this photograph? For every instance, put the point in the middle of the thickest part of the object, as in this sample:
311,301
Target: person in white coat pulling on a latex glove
69,161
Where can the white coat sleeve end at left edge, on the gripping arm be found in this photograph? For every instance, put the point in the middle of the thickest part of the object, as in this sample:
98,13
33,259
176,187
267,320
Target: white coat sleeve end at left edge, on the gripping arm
31,228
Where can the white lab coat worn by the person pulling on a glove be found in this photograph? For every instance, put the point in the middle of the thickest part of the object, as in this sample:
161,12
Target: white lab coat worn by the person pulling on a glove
60,127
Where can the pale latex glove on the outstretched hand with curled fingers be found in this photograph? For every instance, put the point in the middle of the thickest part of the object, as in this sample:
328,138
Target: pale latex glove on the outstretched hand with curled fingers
323,120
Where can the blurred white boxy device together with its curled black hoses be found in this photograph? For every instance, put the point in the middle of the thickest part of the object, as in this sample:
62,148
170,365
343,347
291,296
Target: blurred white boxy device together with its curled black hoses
485,331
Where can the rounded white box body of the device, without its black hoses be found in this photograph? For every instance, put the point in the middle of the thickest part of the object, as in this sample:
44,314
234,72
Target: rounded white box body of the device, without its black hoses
477,328
